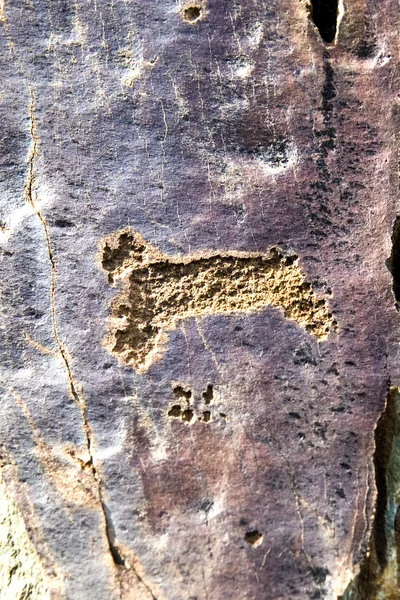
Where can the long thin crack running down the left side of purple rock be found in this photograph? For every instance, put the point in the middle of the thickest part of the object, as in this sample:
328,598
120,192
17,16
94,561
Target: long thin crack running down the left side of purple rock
30,196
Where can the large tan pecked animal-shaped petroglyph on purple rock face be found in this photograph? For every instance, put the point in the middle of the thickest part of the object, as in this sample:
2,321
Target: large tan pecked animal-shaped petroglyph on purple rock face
157,291
